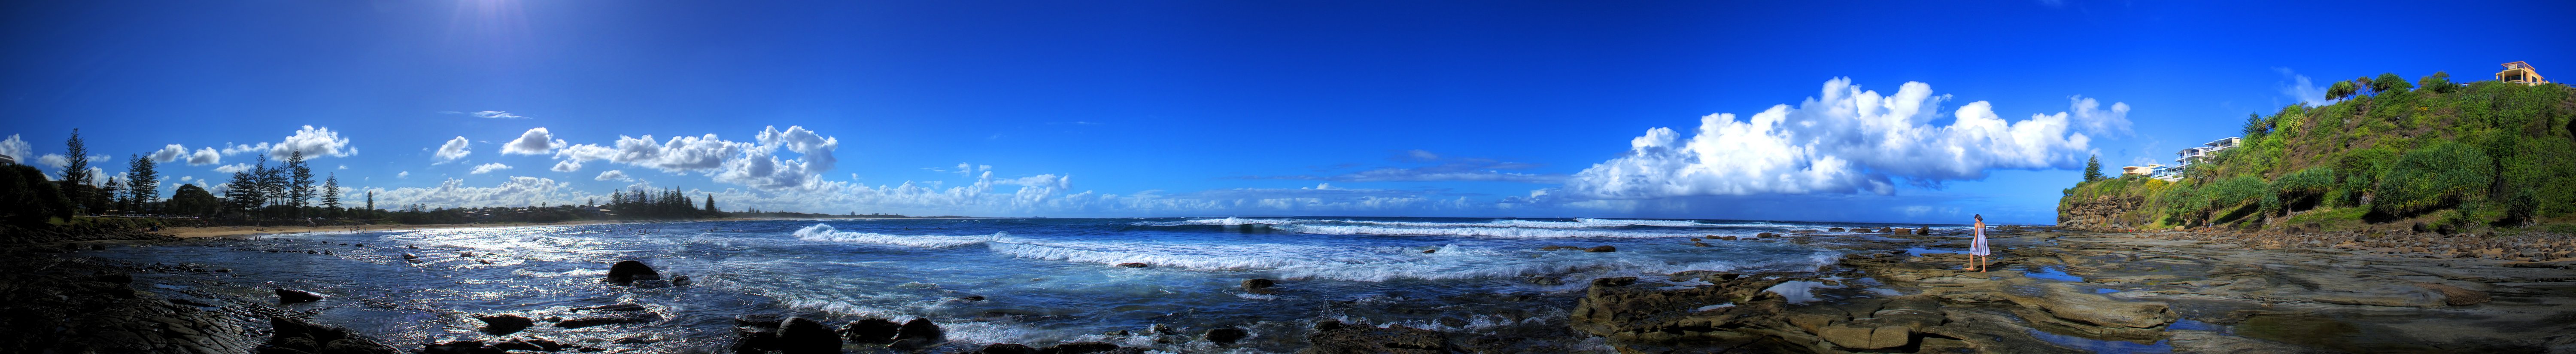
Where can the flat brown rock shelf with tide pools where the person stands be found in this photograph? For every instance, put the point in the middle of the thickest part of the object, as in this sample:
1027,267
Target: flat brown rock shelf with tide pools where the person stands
2114,293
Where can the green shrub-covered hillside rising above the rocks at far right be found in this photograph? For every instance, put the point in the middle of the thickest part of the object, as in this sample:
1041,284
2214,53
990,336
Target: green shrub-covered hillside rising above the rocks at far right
2446,159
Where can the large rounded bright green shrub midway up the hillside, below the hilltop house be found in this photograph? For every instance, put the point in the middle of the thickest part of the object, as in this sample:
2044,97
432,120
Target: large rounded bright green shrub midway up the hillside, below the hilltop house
2433,177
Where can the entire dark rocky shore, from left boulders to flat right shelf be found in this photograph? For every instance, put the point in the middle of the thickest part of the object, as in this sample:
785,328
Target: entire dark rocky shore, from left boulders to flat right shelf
1892,291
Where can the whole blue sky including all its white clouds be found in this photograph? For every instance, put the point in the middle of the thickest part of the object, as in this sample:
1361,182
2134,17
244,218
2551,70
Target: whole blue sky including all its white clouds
1207,110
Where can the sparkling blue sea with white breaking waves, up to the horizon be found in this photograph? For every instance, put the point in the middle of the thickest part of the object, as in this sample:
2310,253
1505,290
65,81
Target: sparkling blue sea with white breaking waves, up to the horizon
1042,280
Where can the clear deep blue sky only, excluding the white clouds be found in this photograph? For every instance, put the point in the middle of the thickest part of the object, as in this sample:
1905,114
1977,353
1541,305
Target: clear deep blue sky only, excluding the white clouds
1186,97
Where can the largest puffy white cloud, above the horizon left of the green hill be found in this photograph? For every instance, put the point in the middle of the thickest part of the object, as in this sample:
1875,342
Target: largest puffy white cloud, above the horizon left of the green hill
1841,143
